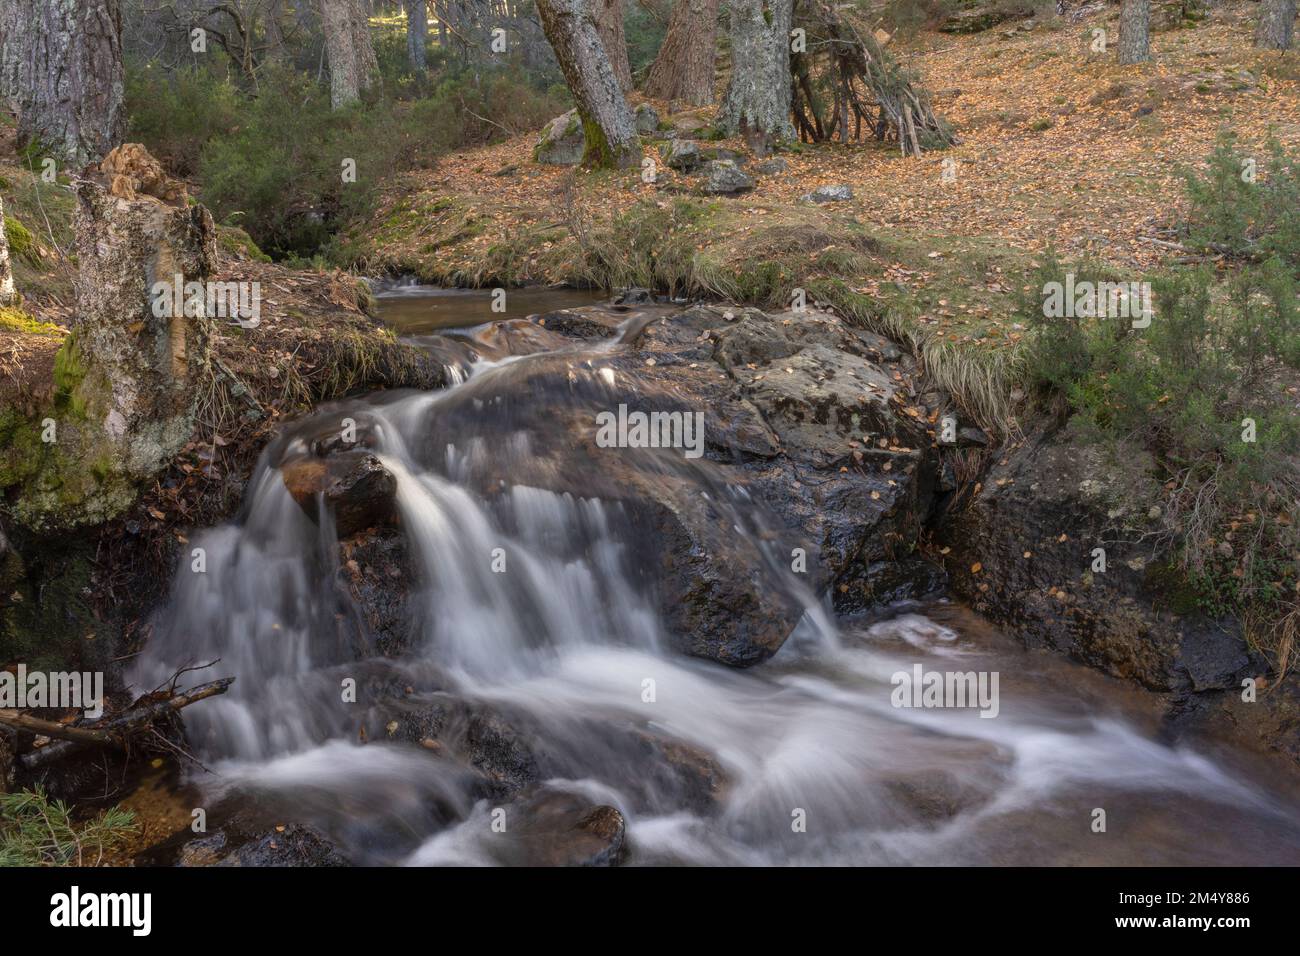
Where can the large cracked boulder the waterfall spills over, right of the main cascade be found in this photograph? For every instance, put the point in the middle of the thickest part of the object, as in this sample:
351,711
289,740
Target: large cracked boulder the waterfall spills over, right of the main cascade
816,458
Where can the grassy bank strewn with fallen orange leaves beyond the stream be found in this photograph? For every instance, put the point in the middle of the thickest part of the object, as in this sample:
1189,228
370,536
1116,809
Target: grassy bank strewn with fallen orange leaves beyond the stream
1060,150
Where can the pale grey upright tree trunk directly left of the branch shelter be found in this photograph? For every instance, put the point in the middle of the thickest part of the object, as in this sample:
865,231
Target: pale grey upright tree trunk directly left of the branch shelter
759,98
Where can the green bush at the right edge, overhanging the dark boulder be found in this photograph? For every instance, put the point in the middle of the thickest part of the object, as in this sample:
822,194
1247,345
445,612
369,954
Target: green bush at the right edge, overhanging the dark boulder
1217,361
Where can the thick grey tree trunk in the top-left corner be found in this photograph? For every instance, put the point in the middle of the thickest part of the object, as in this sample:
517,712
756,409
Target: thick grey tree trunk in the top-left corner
62,71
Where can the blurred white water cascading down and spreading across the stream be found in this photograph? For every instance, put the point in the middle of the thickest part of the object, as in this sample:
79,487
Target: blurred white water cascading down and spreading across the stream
814,763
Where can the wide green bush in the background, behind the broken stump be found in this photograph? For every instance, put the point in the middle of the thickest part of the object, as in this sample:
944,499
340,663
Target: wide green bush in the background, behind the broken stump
272,163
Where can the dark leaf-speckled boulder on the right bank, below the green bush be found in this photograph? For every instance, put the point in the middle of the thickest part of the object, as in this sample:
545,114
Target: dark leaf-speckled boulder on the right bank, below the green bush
1022,552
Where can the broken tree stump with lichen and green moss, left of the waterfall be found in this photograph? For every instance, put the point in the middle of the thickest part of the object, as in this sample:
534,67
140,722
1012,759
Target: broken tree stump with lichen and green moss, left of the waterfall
129,377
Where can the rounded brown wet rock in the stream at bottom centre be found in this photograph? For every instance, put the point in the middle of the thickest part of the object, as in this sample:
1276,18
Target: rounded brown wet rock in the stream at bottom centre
561,829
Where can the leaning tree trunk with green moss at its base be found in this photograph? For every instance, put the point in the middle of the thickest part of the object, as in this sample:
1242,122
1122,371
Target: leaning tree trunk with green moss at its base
608,124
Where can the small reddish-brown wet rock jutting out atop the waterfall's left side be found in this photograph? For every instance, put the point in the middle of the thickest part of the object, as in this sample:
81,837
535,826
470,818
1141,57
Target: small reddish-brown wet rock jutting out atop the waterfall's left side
354,487
